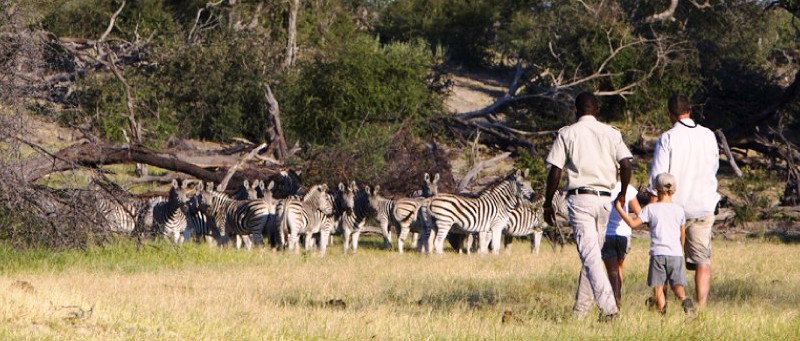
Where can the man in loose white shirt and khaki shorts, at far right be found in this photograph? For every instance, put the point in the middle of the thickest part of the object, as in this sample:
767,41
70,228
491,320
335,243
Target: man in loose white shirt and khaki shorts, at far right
689,151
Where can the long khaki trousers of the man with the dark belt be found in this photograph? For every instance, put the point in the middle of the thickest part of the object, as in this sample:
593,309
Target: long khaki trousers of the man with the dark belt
588,215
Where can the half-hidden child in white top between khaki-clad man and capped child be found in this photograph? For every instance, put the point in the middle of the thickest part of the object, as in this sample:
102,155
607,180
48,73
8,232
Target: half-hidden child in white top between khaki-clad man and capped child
618,239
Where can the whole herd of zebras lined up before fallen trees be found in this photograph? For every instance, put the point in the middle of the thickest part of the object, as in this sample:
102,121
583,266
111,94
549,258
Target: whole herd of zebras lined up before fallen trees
199,211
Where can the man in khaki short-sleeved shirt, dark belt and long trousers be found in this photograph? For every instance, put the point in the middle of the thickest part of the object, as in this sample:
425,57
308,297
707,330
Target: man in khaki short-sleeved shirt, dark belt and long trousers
590,152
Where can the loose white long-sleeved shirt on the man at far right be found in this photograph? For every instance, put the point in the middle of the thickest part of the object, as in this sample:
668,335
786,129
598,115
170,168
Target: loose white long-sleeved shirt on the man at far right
692,156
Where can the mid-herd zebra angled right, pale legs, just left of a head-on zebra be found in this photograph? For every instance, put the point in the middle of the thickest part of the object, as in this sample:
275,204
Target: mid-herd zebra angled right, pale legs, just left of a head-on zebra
308,216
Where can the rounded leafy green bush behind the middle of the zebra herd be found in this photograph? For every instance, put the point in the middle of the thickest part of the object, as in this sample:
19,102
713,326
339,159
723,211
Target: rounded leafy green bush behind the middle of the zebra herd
334,97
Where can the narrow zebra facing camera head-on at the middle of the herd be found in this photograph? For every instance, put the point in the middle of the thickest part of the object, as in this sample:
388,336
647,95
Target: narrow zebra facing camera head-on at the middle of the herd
352,221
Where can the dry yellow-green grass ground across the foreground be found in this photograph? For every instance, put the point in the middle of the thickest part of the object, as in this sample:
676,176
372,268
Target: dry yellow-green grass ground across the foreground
159,292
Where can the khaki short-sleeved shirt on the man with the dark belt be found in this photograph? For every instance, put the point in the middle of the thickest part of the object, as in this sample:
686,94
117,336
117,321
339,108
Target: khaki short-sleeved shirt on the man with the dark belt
590,152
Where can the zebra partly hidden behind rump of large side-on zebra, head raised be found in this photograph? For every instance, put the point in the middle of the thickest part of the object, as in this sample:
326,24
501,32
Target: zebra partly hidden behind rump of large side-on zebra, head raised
412,212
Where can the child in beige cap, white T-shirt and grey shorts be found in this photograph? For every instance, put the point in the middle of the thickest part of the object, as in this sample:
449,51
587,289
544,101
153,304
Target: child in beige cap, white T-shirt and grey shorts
667,223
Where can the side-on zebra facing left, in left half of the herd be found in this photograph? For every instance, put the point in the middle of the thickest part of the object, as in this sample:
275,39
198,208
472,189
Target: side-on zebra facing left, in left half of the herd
234,217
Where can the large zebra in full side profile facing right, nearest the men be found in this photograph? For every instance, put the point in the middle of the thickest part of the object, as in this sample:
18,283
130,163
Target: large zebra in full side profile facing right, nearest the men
489,212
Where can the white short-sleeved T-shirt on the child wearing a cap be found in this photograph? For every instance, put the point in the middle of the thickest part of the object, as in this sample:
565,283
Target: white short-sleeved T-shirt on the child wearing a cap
665,221
